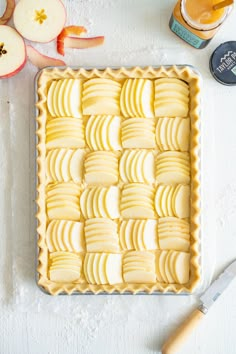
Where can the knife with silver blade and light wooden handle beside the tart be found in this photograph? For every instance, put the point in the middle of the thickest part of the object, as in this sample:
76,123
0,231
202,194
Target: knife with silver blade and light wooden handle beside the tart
214,291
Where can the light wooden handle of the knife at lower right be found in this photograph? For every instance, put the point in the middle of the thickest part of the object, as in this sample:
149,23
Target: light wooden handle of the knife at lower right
177,339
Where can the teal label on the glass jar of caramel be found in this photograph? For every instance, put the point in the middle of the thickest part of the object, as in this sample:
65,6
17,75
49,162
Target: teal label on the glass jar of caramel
185,34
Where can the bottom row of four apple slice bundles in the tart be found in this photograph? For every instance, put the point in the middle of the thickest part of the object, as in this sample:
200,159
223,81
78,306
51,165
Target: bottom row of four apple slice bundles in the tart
106,268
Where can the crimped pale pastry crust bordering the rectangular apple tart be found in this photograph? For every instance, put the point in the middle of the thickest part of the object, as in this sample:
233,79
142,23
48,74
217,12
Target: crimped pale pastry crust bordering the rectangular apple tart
185,73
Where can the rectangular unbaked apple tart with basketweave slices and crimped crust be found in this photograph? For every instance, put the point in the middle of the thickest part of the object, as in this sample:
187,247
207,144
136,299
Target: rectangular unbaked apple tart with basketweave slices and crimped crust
118,180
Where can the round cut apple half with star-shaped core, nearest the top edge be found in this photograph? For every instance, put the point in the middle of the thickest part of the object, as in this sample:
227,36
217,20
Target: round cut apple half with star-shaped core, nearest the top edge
39,21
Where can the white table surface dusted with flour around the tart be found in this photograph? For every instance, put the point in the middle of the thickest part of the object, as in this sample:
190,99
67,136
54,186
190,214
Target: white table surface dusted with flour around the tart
30,322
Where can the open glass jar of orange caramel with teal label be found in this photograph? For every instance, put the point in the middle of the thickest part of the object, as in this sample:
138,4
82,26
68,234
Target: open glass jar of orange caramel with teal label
196,22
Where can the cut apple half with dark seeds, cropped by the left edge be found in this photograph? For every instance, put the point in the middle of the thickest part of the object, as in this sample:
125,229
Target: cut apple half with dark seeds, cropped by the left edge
12,52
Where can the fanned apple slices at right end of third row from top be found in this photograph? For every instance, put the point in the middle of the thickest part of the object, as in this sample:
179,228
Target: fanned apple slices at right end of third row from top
173,167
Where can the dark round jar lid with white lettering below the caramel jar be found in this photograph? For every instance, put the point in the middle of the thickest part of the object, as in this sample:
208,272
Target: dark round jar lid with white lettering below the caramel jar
223,63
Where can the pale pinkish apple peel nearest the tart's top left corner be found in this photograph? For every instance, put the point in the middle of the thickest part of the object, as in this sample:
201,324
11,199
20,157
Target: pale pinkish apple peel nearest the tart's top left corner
40,60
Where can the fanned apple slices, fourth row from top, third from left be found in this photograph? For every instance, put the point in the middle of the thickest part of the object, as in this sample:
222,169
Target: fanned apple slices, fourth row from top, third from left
137,201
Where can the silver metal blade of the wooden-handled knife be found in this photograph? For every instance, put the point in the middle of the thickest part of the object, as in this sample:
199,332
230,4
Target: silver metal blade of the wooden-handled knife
217,287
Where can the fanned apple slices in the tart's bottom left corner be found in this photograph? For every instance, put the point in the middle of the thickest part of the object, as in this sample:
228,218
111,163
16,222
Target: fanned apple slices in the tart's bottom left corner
65,267
